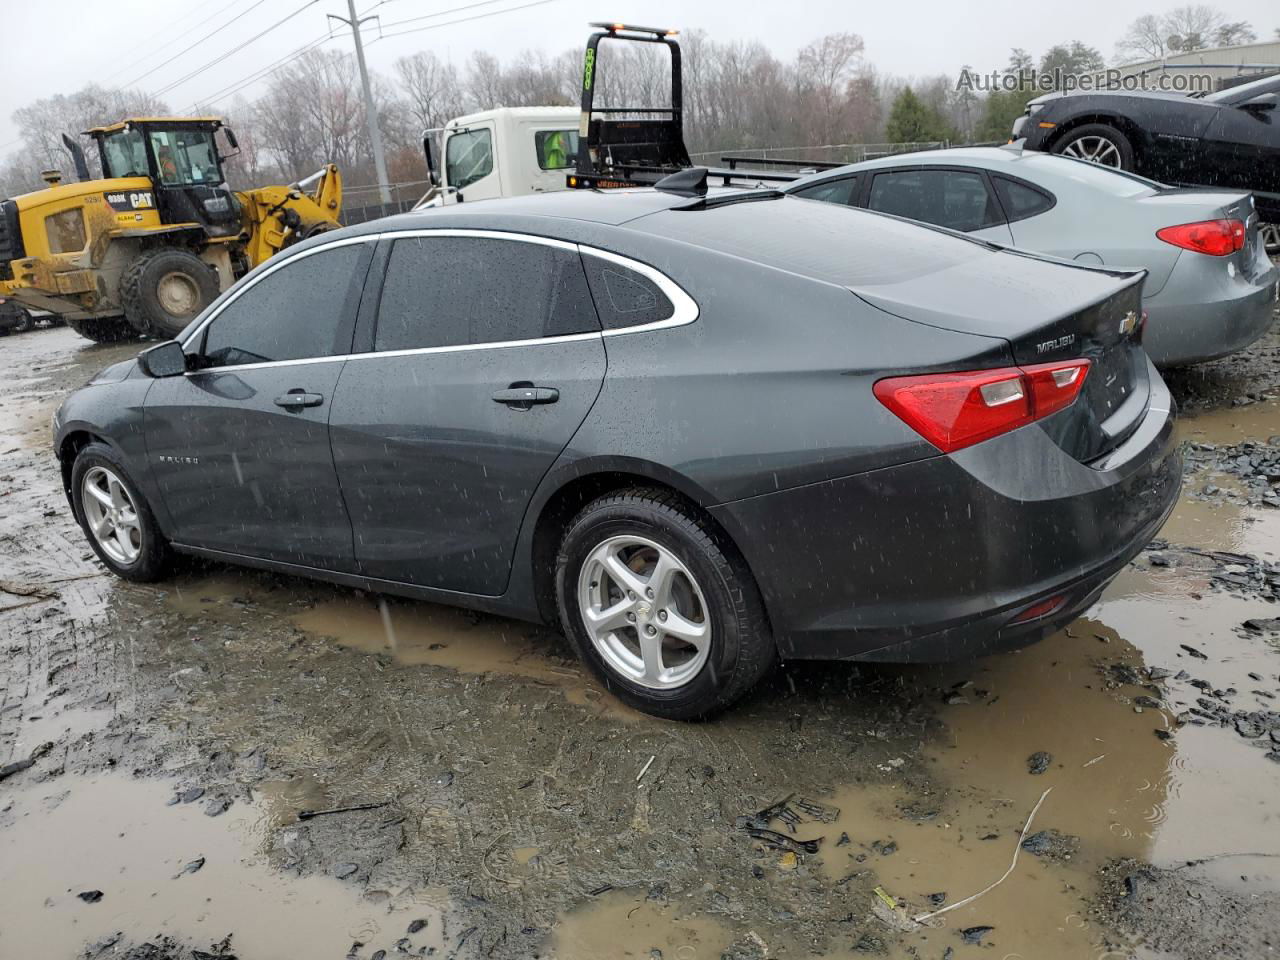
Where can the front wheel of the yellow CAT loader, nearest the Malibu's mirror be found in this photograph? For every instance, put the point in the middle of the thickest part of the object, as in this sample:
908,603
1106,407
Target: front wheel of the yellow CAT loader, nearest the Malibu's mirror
164,290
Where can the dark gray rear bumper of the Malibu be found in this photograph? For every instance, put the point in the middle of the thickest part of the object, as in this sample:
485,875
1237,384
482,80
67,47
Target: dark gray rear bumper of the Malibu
934,560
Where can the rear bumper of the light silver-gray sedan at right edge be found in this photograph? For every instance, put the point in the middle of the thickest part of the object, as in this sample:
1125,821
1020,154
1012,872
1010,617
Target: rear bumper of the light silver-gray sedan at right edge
1205,316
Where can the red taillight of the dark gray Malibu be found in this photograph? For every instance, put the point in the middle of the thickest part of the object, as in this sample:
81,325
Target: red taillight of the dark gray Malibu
953,412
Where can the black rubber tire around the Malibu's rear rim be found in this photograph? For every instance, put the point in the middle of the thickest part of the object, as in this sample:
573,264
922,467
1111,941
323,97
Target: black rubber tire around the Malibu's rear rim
742,646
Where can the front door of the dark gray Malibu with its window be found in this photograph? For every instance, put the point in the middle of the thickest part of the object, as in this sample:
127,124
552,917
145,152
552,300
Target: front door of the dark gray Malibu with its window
240,447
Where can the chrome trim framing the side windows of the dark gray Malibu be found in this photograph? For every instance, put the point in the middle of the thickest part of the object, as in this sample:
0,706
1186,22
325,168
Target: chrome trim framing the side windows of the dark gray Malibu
684,308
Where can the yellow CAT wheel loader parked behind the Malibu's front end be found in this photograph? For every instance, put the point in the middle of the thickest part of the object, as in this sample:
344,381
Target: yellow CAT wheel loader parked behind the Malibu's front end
149,246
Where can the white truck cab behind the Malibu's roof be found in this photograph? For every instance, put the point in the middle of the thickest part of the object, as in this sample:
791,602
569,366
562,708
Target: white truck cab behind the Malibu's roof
505,153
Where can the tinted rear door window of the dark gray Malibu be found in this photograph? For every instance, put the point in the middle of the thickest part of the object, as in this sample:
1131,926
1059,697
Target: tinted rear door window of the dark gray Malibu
460,291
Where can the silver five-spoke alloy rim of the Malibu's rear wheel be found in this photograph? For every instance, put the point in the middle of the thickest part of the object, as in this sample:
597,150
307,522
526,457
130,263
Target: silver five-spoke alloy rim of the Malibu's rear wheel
644,612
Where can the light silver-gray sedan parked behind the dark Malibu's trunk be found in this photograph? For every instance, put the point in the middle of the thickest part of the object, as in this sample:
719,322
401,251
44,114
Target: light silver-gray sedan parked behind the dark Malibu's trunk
1210,287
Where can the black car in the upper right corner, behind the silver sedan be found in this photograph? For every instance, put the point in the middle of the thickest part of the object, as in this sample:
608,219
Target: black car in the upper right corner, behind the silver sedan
1229,139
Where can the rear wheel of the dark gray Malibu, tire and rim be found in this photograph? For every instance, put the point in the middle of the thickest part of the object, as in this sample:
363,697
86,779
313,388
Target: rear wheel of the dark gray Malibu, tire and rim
661,610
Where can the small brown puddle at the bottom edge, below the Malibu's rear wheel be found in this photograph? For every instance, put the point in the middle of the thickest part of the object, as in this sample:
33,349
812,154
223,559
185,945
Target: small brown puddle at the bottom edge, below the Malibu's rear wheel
624,925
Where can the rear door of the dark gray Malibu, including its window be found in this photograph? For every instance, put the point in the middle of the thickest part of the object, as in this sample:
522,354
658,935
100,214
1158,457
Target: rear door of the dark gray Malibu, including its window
486,359
